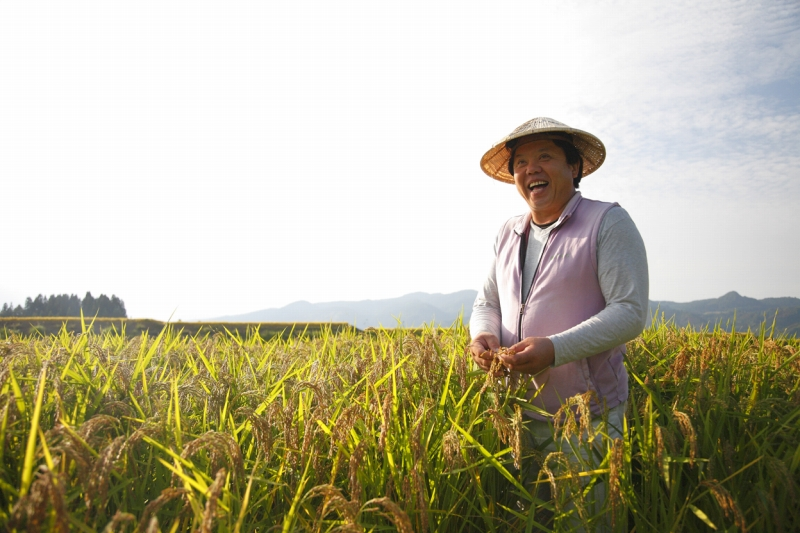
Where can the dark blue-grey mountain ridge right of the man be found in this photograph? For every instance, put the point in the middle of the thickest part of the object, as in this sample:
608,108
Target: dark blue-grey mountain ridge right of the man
733,309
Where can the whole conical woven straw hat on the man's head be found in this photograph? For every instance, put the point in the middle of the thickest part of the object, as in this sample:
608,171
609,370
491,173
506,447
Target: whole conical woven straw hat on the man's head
495,162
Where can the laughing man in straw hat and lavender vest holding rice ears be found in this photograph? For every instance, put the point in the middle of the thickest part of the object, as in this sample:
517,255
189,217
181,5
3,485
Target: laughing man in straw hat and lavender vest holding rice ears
568,286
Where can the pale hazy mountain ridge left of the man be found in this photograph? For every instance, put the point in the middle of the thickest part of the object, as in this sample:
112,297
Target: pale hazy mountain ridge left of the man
411,310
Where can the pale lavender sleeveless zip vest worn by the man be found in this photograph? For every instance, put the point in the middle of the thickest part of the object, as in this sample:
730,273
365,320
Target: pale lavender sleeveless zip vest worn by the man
565,292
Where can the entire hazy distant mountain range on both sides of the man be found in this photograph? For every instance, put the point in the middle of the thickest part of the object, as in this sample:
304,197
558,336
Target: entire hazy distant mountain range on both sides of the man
416,309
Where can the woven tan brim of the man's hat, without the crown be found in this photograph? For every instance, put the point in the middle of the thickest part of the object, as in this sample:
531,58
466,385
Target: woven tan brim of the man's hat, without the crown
494,163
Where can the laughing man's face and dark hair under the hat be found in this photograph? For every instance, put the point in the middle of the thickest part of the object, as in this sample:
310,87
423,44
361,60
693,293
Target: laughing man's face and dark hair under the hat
544,179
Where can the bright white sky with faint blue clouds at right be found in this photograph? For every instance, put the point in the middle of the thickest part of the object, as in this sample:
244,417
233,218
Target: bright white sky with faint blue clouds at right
200,159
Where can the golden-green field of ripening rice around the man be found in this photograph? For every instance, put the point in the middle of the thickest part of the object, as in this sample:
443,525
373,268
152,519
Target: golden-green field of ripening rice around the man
382,431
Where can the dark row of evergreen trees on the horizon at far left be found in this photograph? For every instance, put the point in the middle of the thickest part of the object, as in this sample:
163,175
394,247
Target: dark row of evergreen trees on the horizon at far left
68,305
